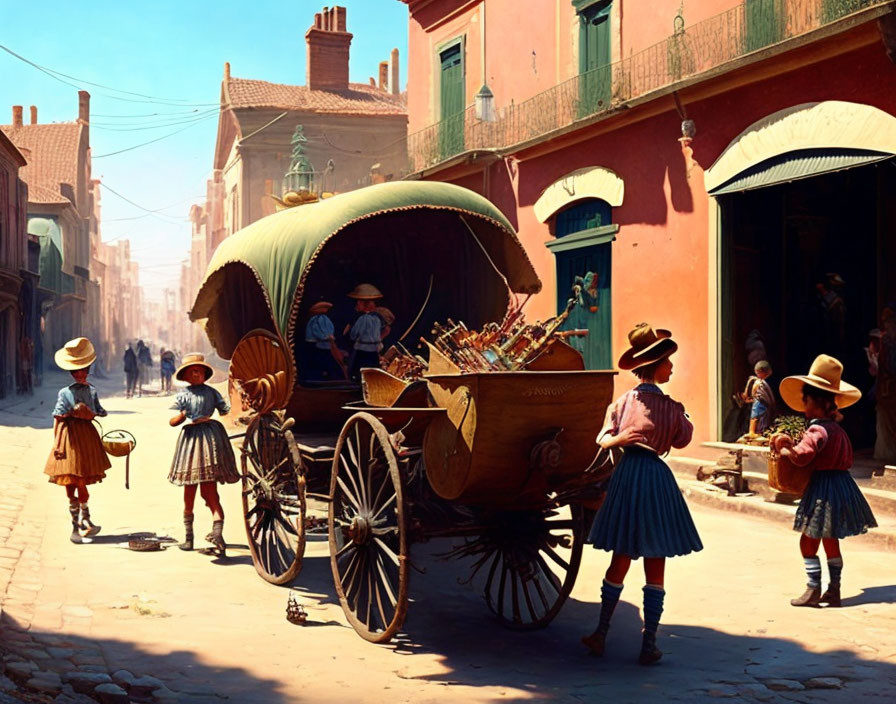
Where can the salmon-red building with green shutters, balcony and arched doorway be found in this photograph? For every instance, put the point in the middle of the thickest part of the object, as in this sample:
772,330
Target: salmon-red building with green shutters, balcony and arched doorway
718,167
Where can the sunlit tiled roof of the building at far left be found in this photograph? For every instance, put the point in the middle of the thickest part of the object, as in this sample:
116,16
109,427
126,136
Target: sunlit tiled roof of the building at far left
53,157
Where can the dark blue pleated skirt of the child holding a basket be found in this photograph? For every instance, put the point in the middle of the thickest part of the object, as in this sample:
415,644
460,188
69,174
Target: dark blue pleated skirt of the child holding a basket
833,507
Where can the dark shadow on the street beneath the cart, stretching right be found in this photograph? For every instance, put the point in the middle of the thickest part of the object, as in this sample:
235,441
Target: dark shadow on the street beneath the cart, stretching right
451,620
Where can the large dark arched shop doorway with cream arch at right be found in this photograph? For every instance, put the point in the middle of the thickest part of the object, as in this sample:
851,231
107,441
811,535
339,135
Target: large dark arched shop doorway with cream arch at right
805,226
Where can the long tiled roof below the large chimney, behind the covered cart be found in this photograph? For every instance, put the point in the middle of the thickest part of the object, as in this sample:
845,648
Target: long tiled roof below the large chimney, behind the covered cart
358,99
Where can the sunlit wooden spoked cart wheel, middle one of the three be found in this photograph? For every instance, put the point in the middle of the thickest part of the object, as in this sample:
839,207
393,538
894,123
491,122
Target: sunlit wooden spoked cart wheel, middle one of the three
368,542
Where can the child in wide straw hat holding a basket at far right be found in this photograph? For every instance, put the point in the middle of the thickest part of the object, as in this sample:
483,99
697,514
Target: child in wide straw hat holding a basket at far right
832,506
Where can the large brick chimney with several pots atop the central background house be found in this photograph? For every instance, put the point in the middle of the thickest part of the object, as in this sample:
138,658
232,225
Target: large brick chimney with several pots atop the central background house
327,51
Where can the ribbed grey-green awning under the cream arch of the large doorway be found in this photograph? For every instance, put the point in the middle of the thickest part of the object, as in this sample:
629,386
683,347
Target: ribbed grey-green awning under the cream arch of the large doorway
795,165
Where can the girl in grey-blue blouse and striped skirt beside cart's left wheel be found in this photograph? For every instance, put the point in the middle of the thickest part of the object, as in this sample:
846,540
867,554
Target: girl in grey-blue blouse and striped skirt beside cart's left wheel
203,455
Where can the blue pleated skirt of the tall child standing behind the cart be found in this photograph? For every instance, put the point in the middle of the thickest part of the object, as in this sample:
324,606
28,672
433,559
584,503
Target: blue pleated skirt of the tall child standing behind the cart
644,514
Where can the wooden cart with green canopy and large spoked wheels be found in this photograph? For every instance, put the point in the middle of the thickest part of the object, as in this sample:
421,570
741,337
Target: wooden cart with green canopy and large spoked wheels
498,459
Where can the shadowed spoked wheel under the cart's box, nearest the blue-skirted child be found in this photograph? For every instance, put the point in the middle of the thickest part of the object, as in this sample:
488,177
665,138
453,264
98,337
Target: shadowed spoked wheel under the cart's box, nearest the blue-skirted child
531,562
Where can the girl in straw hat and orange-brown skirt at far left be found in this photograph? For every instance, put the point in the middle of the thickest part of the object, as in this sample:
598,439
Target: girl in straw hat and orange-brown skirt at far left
78,458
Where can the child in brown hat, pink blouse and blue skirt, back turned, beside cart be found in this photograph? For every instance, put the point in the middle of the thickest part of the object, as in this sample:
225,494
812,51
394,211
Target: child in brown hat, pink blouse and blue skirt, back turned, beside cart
644,514
